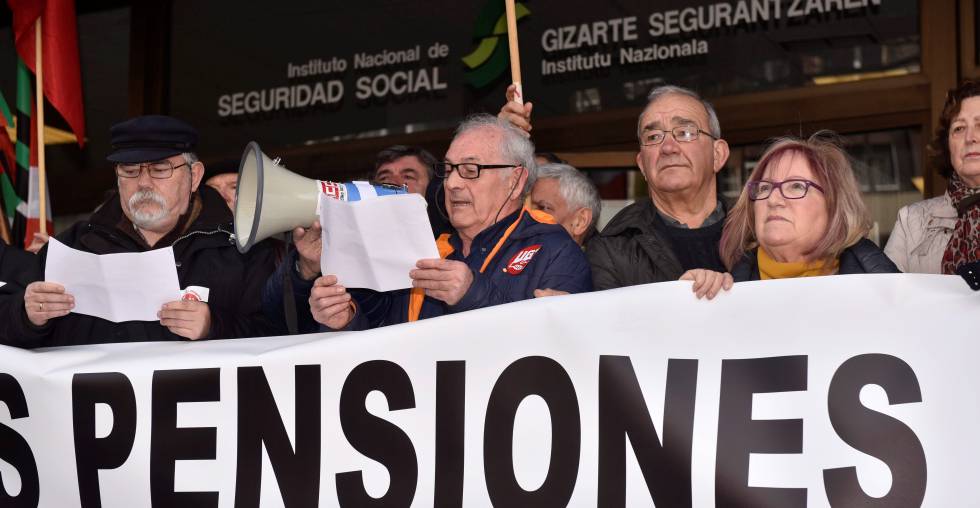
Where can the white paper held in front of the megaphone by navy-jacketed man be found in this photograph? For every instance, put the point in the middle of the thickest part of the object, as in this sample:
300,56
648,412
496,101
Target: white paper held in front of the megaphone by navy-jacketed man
374,243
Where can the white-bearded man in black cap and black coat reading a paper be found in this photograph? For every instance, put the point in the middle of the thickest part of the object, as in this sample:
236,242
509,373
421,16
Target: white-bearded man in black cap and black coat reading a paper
160,203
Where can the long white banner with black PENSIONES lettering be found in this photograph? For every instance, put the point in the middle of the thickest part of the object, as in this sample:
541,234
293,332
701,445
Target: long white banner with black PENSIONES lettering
829,391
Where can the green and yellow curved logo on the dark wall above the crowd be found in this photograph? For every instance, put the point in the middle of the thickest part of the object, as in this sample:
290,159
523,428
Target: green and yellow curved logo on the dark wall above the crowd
491,57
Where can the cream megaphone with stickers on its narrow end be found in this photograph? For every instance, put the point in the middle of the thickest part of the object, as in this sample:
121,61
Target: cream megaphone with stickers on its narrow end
271,199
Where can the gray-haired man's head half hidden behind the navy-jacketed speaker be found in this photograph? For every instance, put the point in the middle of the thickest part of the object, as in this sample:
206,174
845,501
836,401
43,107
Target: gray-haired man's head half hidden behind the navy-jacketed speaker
569,197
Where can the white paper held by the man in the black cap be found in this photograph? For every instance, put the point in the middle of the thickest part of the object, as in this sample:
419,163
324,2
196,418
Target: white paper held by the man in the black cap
116,287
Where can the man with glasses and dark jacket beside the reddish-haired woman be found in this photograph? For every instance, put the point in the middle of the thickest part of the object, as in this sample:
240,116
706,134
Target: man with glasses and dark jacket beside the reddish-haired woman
676,231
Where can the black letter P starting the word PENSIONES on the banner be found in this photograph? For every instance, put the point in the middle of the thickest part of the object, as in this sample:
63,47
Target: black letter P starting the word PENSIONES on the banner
91,453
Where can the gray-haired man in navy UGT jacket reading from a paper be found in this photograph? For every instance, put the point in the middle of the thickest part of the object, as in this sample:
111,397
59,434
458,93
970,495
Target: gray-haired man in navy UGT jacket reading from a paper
501,251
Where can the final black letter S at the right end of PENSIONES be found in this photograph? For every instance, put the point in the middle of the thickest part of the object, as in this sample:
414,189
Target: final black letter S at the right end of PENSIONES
874,433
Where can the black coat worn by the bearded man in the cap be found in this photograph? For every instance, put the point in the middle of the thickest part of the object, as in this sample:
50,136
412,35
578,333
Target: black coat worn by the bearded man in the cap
206,256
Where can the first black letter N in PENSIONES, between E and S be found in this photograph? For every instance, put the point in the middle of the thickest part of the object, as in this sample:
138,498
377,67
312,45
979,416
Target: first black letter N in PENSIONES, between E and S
298,472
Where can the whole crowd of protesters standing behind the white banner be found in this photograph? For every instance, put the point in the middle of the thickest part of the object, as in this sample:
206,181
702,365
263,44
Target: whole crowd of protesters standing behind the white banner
509,224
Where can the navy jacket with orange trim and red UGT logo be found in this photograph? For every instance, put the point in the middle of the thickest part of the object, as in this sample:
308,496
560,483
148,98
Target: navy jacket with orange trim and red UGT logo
534,253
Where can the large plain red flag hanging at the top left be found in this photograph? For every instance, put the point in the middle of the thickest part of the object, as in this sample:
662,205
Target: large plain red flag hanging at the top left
59,46
